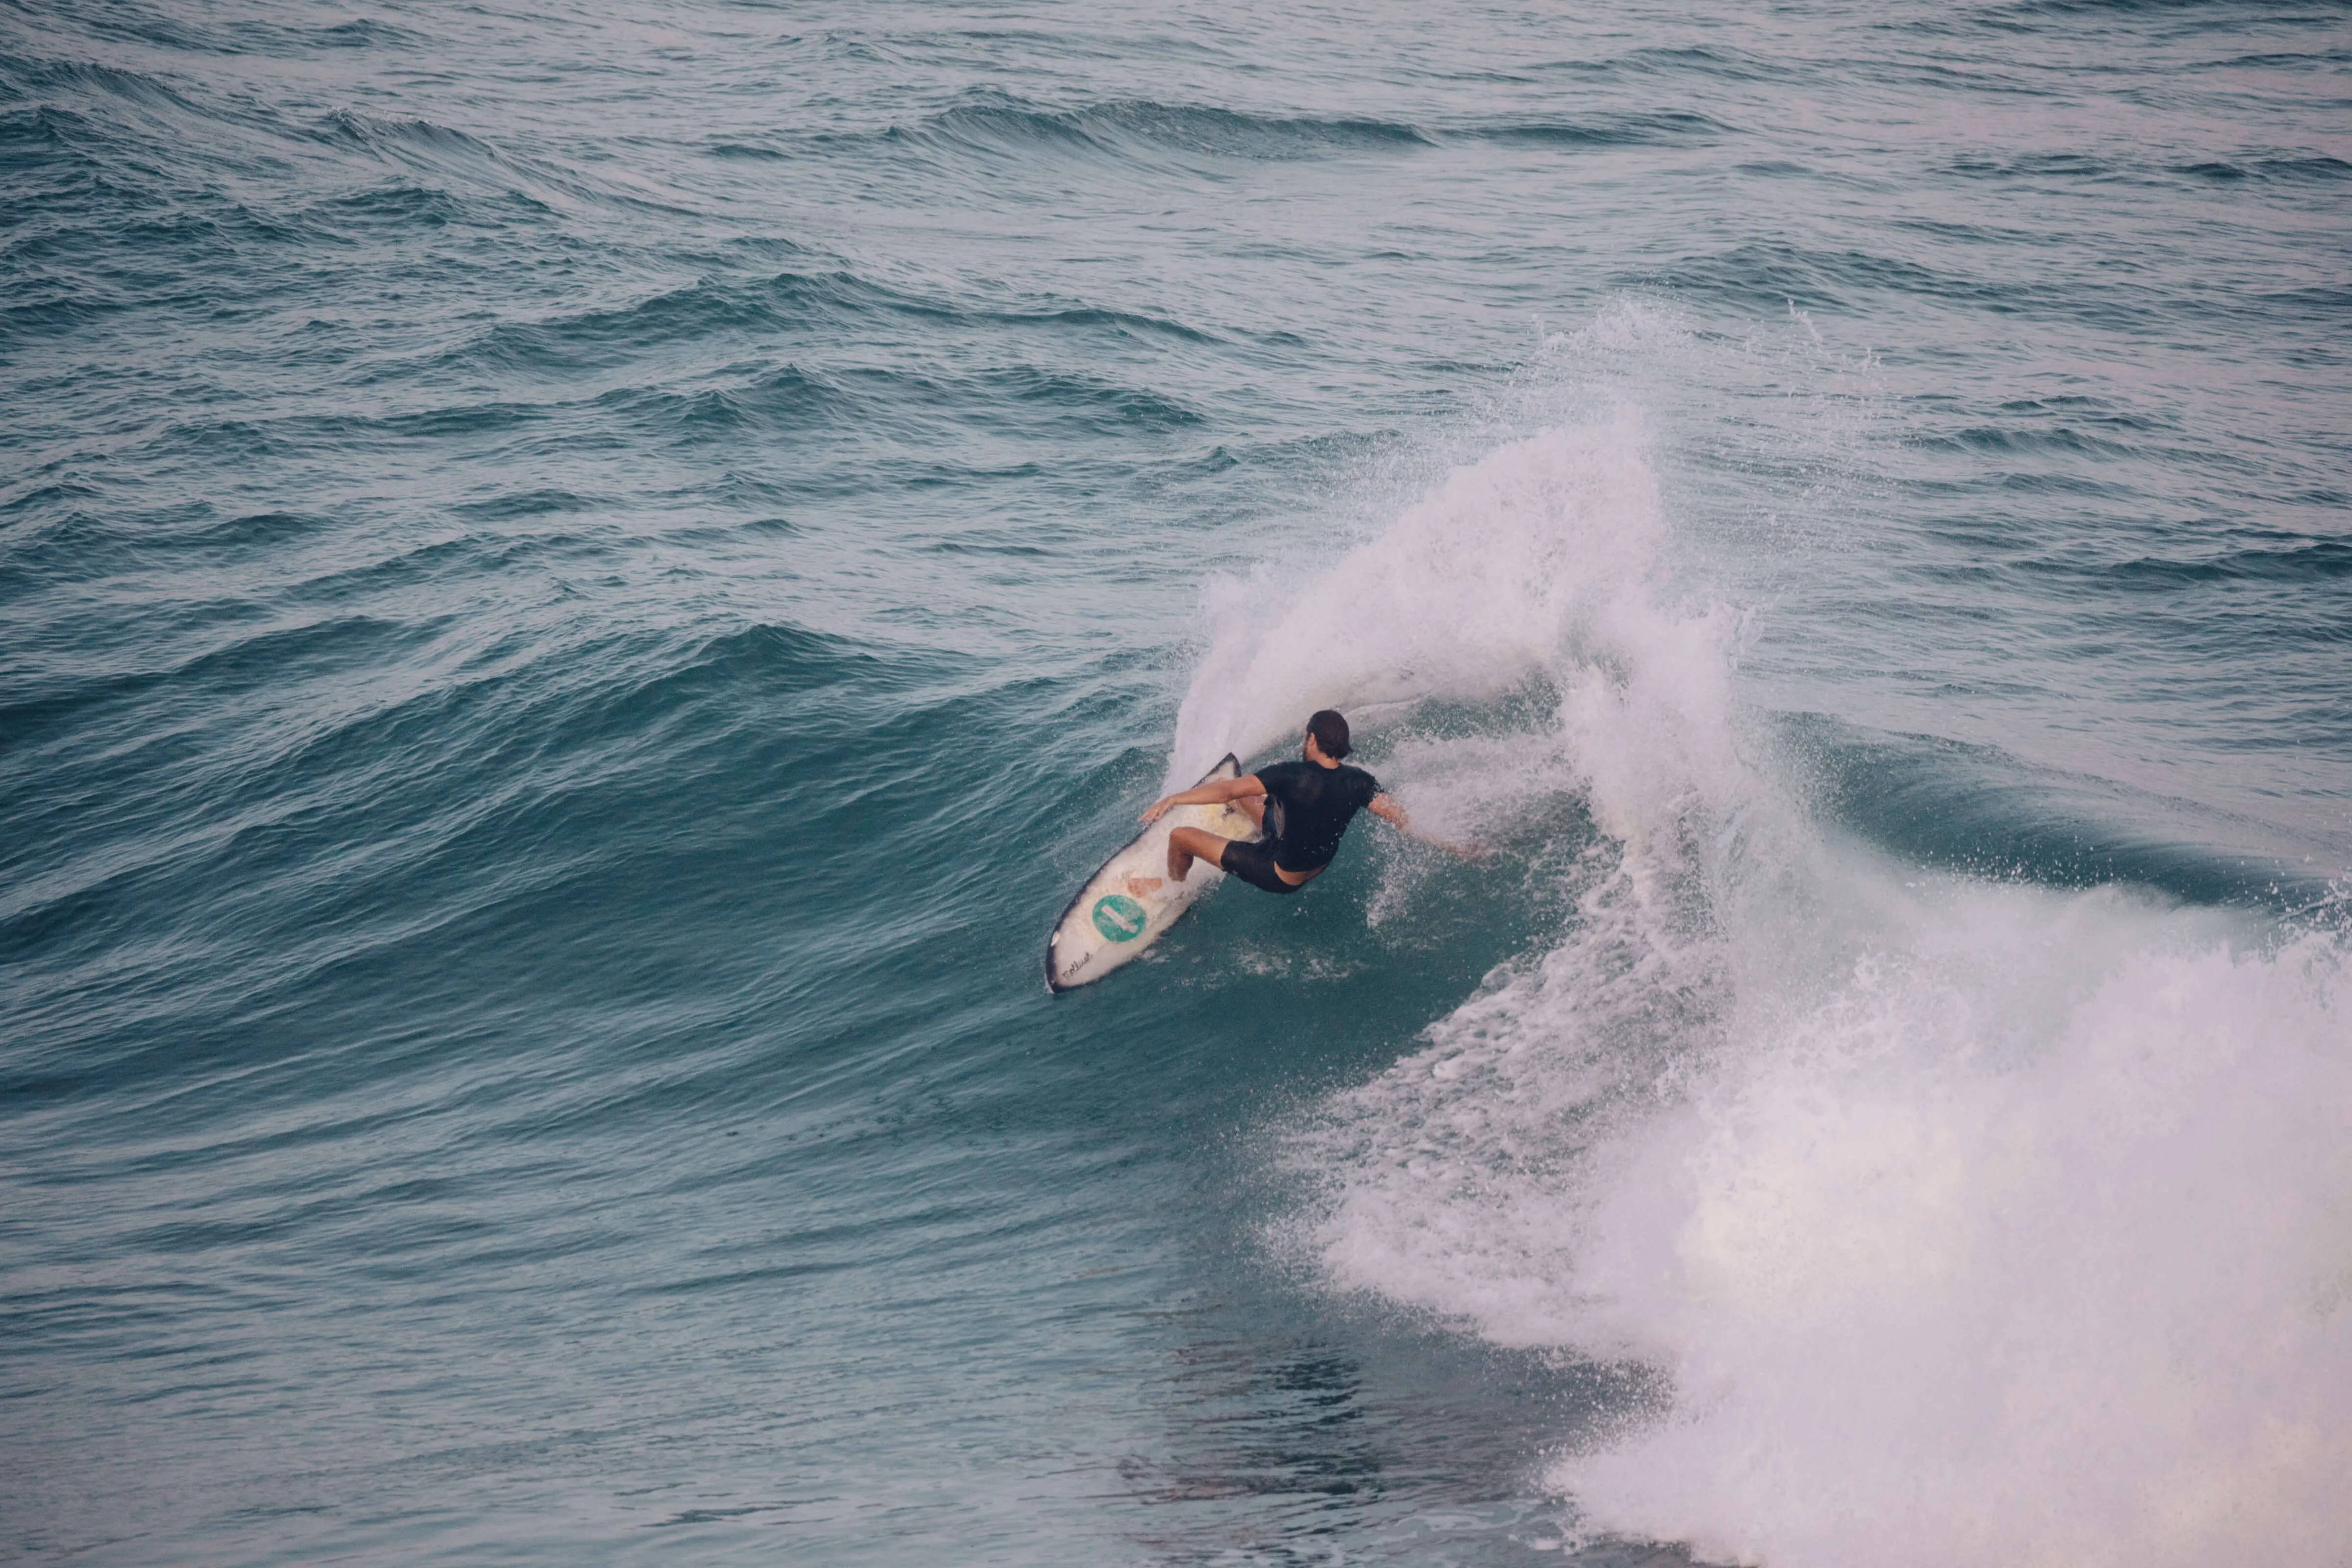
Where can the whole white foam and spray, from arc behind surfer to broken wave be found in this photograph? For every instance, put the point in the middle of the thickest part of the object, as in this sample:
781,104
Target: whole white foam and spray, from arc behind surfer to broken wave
1965,1224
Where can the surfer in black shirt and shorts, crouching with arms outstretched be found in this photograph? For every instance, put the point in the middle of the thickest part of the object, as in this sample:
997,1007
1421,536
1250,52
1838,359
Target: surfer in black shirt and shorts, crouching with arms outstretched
1299,808
